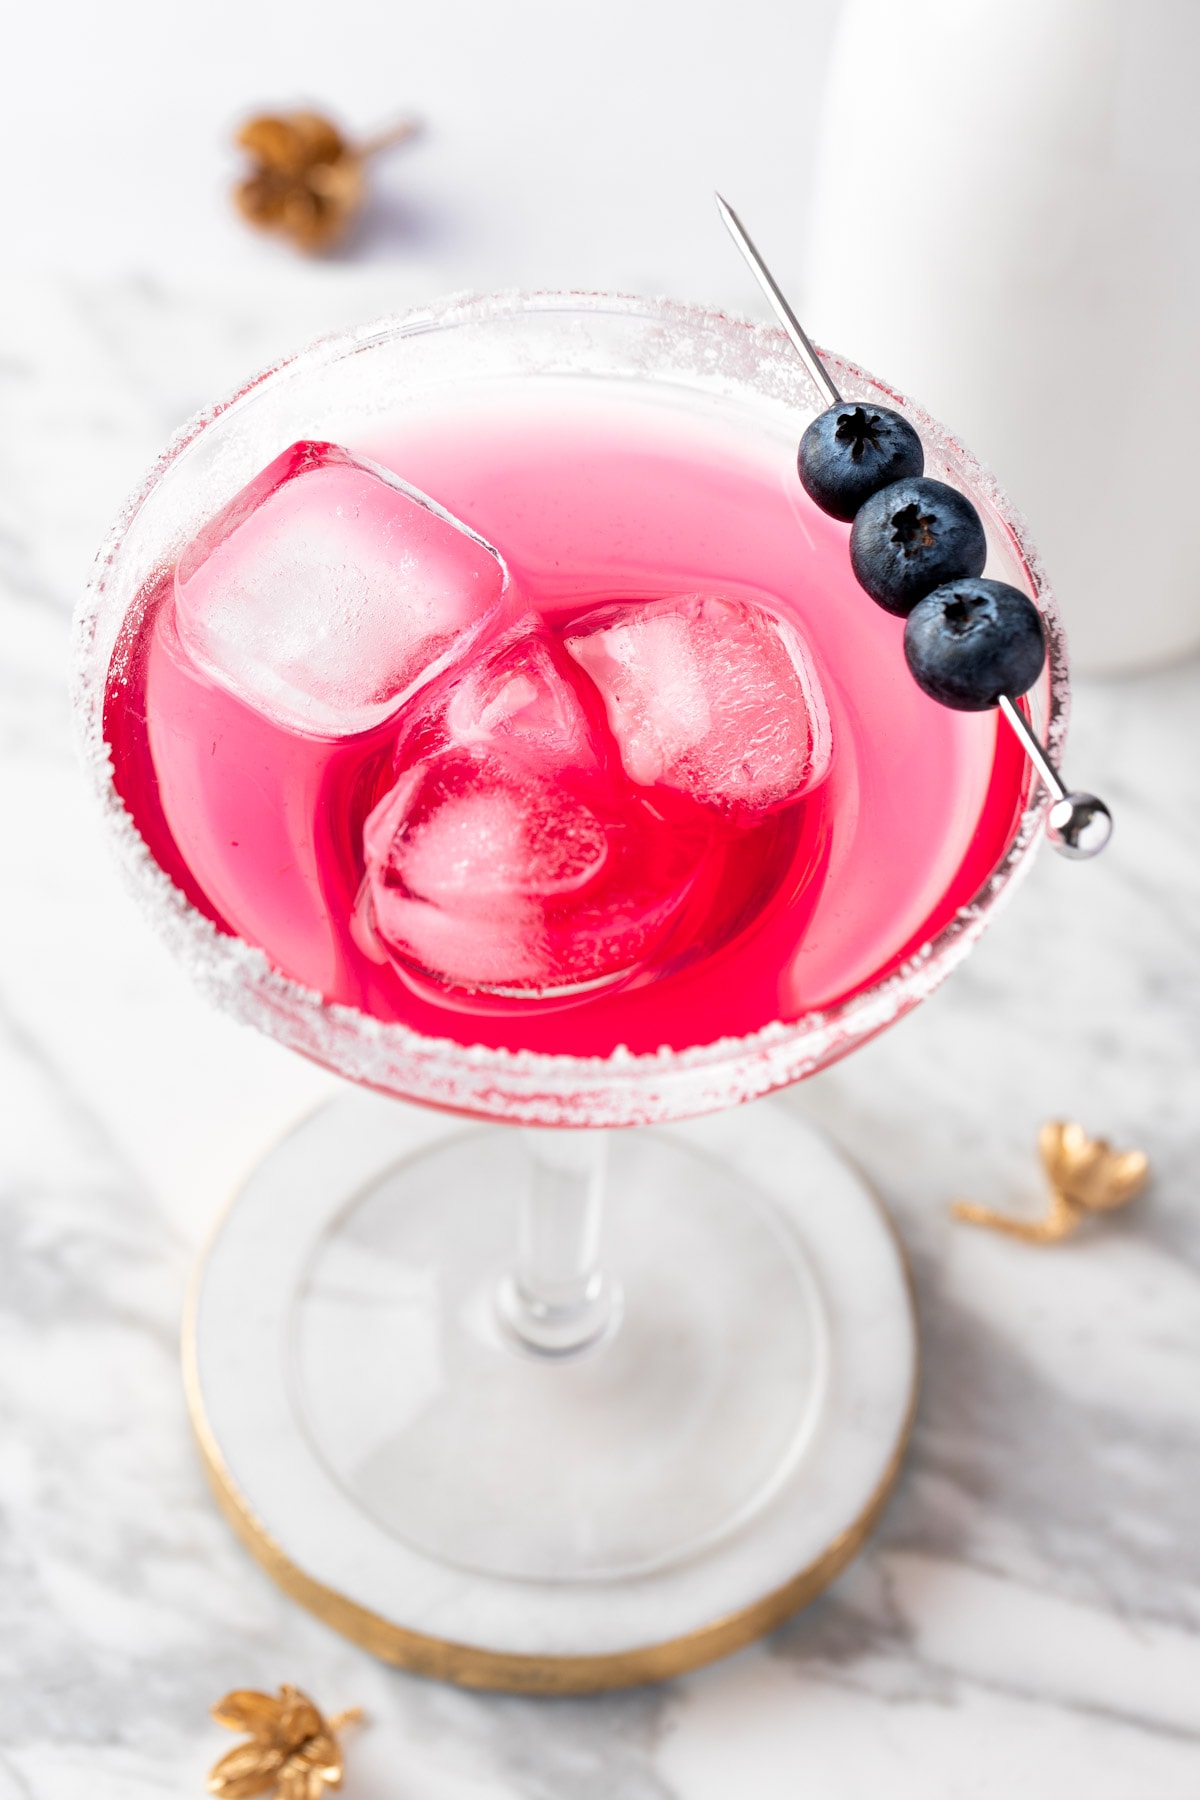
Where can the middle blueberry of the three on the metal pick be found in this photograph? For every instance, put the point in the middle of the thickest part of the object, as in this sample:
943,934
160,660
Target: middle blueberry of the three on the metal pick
911,537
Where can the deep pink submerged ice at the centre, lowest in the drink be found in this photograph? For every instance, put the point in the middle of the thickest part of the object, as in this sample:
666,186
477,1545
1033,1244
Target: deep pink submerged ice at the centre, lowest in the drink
505,859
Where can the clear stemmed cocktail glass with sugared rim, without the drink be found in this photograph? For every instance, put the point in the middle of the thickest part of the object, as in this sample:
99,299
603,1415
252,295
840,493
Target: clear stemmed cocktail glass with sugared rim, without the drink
541,1347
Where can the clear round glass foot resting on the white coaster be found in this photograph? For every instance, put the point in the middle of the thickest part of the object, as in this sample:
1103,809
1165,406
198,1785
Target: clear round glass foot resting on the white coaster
670,1428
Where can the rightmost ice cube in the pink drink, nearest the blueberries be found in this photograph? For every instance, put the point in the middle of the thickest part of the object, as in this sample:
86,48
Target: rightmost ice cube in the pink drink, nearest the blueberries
710,696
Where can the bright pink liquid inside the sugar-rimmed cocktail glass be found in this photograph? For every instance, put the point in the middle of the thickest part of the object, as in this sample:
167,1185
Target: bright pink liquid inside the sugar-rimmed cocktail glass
658,901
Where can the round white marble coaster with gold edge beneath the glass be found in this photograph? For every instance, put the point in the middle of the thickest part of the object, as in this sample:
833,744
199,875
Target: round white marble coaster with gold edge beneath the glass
406,1466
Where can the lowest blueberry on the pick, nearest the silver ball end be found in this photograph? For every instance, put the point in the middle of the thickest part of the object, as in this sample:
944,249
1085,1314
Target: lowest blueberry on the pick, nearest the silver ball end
971,642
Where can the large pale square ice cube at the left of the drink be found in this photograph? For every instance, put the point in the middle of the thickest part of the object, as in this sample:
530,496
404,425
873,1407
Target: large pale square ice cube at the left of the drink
328,591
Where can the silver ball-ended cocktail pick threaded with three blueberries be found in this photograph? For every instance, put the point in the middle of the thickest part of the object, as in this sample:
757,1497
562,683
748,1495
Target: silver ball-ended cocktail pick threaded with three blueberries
918,548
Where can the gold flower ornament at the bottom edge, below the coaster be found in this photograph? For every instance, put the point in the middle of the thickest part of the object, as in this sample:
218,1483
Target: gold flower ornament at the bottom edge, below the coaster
292,1752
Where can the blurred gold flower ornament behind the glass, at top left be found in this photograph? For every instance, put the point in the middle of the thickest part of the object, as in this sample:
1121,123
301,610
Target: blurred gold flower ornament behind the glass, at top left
307,181
